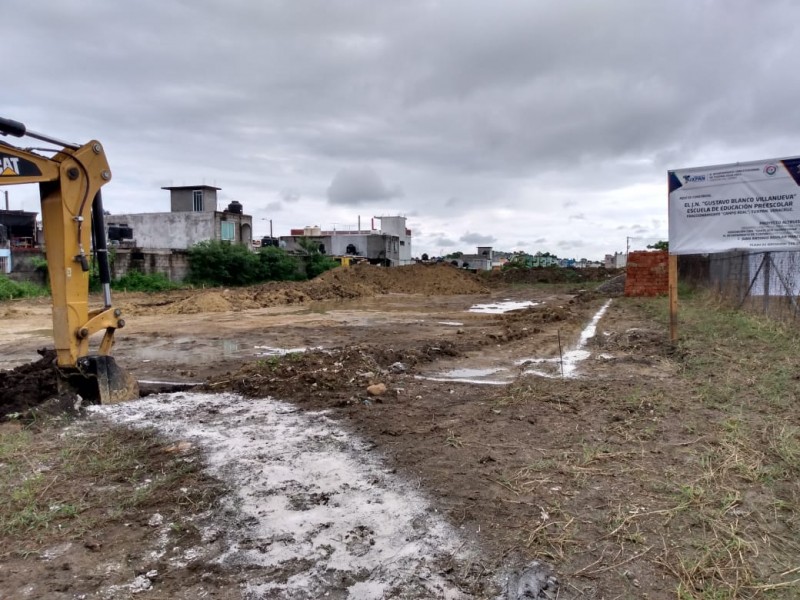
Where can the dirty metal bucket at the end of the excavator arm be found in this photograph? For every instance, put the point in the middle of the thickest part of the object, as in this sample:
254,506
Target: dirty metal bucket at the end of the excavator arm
99,380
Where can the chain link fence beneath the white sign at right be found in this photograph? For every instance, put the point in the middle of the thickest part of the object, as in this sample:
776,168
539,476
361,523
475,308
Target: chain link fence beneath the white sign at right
765,282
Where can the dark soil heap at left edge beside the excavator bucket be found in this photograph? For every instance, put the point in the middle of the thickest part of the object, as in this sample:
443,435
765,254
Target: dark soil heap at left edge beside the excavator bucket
33,389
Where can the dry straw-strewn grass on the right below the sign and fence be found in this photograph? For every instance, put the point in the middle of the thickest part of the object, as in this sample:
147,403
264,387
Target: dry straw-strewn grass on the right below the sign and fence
694,482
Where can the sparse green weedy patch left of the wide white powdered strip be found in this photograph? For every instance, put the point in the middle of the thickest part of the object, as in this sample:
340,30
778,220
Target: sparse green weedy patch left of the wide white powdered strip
60,485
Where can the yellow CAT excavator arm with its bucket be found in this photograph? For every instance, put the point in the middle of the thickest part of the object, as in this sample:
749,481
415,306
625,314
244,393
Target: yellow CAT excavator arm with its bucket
72,219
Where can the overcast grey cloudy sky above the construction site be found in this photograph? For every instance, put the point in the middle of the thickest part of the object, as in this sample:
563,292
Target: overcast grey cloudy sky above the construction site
524,124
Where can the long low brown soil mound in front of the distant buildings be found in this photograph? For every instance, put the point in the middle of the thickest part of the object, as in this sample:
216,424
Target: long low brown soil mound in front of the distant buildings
358,281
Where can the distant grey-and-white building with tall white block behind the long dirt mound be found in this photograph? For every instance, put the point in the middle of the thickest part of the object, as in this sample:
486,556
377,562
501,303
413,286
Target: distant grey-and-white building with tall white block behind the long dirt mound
390,245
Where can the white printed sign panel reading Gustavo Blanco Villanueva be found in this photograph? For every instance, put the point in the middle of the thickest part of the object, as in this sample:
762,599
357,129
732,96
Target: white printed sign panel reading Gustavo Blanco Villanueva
743,206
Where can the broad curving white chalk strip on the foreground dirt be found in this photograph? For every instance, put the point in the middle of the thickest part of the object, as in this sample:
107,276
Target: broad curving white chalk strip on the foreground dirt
313,505
